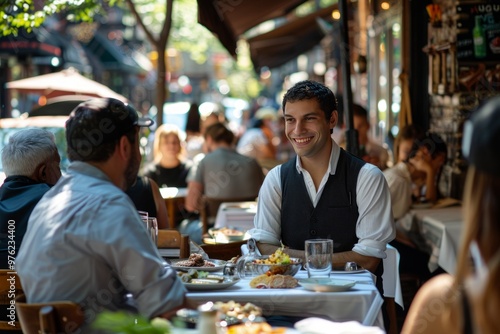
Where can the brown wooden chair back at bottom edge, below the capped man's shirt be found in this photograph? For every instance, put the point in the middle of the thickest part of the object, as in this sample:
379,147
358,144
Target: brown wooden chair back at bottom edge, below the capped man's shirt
49,318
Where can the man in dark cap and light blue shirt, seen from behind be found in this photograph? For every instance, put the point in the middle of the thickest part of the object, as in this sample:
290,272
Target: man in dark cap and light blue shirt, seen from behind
85,240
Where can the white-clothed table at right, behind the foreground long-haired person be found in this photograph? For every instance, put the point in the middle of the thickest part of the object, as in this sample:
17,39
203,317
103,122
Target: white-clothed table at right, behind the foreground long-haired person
436,231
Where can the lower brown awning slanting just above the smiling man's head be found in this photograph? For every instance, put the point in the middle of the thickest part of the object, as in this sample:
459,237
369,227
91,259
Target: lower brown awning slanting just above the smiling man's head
288,41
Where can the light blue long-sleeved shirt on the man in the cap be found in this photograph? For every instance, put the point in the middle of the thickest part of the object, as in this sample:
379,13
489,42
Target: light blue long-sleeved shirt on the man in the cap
86,243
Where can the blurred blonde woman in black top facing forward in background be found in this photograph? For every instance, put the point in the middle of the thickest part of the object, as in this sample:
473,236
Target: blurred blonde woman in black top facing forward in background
169,167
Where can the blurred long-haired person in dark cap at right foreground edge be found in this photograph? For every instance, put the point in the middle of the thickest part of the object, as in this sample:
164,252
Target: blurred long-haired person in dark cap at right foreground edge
469,301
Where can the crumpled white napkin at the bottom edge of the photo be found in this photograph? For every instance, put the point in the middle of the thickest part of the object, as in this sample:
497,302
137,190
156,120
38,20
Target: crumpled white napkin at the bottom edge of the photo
322,326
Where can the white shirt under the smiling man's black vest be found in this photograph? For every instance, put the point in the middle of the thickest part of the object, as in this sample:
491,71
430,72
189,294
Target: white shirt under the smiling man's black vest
375,225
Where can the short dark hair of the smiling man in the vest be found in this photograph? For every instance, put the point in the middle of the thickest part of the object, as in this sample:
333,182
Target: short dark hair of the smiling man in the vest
309,90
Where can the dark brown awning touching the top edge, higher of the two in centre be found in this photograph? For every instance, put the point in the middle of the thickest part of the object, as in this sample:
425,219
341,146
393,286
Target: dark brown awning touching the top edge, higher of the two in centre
229,19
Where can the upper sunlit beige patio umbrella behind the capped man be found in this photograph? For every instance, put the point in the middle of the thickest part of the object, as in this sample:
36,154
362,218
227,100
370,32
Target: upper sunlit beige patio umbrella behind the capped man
65,82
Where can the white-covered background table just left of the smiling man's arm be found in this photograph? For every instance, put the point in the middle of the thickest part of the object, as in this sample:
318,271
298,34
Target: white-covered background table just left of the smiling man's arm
236,215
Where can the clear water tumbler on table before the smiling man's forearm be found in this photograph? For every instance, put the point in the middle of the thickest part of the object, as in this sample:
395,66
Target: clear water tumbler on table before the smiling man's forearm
319,254
